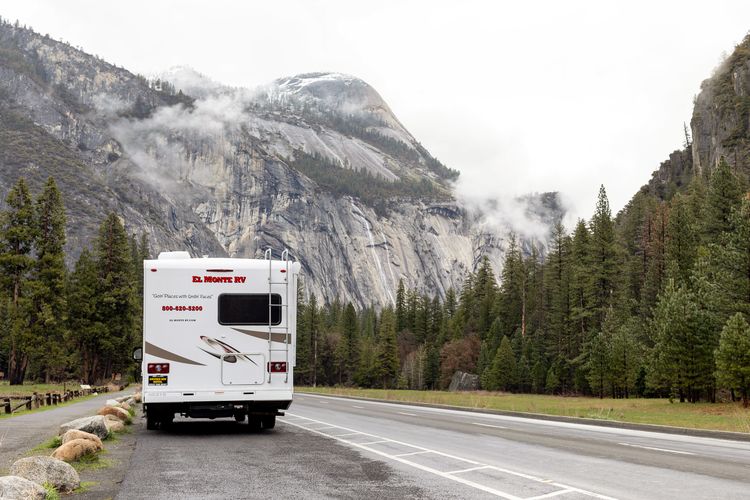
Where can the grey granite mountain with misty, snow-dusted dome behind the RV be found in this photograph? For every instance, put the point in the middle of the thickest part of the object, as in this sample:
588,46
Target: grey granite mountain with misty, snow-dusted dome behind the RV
316,163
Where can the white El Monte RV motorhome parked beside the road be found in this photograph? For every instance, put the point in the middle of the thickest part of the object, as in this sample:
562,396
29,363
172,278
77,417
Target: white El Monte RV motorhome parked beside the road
218,338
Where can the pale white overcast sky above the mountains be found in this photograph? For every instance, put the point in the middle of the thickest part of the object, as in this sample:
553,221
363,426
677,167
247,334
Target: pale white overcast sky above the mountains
519,96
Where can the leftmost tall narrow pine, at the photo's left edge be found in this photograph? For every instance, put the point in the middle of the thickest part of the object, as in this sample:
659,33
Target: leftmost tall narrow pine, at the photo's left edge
17,236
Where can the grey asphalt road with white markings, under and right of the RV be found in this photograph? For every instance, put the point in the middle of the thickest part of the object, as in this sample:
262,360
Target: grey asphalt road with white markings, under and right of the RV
339,448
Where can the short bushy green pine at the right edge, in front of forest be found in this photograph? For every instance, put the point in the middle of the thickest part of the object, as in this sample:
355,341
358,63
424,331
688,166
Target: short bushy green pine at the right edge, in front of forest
733,357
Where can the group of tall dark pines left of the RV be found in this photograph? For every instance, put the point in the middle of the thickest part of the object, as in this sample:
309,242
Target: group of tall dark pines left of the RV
55,324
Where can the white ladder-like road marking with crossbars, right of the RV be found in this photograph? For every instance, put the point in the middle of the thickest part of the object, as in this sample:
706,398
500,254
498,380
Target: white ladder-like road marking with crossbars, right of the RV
403,458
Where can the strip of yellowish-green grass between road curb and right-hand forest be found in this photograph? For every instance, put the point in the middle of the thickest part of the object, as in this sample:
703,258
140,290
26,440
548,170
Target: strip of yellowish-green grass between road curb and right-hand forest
713,416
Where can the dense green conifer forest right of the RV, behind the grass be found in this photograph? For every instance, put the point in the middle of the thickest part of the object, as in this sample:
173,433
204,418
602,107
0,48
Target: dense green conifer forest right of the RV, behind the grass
652,302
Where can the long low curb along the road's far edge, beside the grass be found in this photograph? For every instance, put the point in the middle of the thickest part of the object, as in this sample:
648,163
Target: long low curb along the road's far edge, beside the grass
685,431
